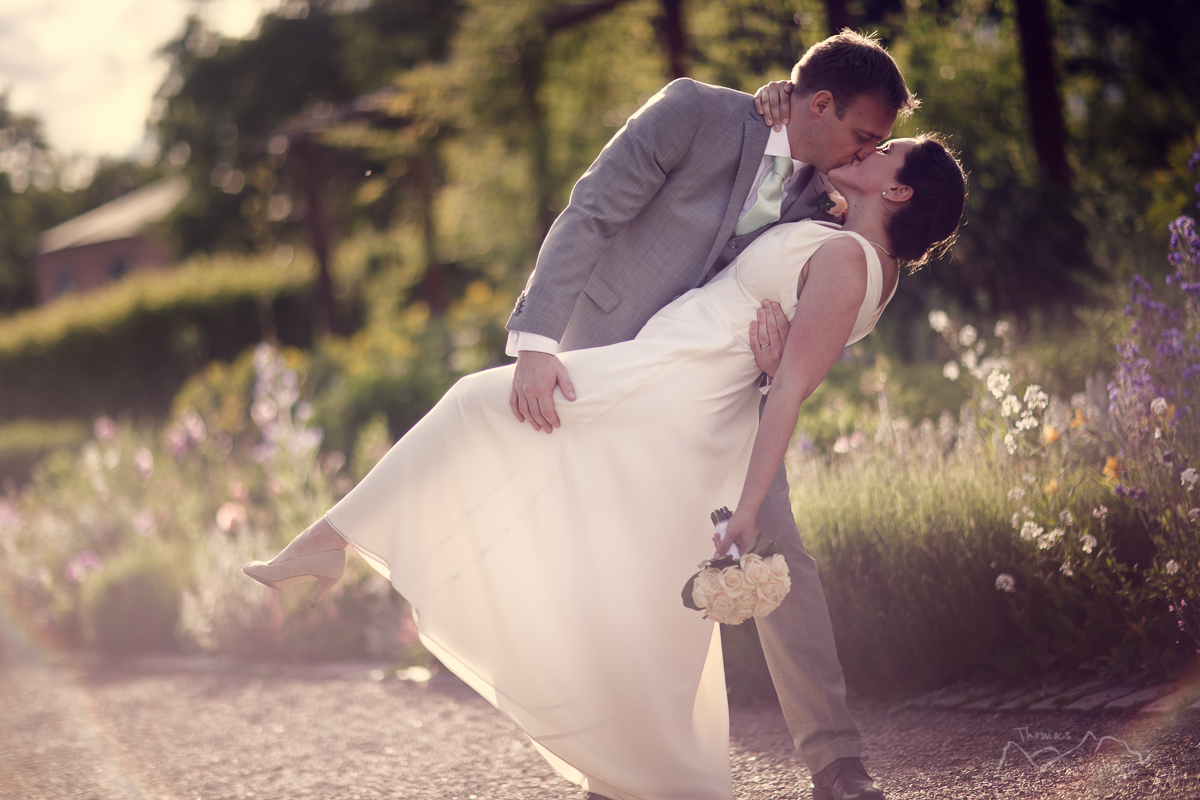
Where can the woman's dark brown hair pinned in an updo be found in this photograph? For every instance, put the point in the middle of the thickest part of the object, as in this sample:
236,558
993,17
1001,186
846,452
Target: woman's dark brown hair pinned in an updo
926,227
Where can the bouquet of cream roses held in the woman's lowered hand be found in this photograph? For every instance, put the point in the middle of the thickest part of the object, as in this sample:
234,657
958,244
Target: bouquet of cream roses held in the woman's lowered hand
731,590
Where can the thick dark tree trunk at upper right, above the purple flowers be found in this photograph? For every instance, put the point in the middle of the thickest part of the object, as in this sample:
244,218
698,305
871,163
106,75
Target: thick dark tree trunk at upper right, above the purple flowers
1042,92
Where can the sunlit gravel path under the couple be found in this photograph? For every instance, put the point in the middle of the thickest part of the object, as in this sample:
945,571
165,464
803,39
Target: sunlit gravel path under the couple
188,730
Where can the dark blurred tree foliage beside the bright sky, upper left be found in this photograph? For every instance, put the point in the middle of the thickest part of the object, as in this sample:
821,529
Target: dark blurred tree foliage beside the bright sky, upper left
225,100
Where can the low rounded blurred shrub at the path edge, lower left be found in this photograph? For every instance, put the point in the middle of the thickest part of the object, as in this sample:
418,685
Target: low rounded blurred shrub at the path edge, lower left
133,604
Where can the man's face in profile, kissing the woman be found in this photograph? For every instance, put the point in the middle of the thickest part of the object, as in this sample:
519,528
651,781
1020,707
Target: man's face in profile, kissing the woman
833,142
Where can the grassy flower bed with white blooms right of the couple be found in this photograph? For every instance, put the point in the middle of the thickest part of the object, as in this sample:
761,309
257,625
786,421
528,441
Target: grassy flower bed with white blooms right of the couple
1009,542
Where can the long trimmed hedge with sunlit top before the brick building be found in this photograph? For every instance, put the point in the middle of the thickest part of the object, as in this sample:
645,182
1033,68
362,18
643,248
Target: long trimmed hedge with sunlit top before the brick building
129,348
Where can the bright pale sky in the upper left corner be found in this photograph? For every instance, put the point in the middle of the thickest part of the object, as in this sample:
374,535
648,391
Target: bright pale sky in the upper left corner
89,70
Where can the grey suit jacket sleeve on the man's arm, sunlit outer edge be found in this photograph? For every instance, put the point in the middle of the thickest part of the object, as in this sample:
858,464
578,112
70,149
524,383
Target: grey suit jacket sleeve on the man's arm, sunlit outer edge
626,176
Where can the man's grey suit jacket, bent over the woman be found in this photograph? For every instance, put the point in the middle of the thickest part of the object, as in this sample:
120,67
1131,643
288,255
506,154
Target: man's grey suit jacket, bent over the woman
653,216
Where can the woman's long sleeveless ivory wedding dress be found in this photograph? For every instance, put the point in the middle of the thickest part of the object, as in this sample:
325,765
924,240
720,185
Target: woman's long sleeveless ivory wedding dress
547,569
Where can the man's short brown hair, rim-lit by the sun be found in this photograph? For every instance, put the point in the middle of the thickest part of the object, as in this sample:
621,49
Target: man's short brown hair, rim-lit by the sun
850,65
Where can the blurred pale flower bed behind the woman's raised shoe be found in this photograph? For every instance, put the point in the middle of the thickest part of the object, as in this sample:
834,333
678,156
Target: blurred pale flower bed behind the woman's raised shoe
137,512
